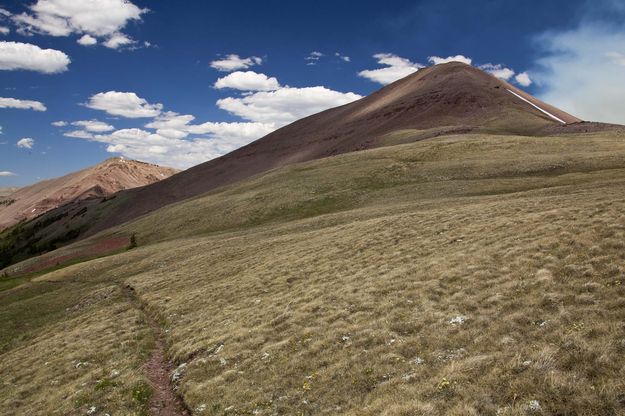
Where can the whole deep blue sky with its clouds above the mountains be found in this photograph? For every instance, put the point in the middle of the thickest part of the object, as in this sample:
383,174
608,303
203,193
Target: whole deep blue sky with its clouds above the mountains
178,83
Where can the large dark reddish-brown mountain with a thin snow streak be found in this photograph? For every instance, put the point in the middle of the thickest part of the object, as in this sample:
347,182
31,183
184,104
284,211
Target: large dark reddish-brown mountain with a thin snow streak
444,99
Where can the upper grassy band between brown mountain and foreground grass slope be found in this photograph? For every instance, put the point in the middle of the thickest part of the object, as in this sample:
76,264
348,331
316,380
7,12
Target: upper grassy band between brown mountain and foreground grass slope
451,168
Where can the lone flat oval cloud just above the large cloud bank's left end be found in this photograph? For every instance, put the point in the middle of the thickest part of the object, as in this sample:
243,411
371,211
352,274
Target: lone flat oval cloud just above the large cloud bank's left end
125,104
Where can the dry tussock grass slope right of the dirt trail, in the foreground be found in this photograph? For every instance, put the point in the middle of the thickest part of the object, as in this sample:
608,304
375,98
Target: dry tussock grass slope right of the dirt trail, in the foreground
282,305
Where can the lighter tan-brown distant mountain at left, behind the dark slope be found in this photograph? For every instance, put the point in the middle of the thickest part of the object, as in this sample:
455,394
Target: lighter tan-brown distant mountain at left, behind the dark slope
102,180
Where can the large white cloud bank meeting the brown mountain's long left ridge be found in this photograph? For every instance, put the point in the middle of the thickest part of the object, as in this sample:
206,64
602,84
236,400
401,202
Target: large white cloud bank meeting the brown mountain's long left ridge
178,140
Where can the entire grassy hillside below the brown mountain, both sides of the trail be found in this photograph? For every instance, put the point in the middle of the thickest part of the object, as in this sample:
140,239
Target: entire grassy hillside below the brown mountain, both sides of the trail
463,275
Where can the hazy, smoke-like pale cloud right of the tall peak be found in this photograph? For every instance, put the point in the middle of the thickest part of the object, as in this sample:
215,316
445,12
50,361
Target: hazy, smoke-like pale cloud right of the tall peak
581,70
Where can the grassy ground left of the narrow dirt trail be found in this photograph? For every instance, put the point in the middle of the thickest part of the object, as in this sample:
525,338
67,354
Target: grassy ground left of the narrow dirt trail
71,342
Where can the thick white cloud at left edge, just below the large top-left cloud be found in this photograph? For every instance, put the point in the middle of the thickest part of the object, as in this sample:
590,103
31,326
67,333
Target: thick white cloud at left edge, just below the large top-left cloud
25,56
